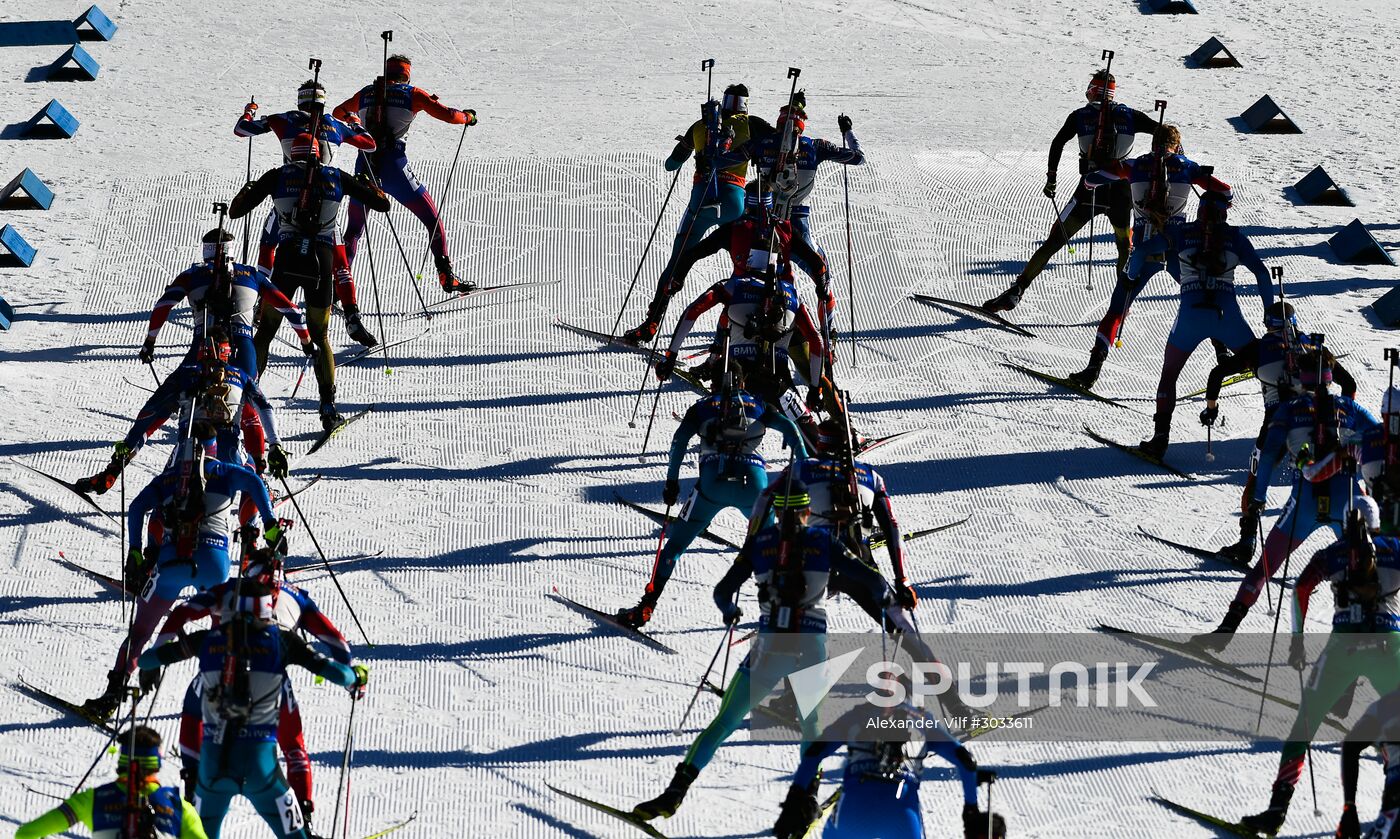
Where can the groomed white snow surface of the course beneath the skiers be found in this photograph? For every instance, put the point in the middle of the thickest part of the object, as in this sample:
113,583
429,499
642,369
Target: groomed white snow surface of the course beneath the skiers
488,471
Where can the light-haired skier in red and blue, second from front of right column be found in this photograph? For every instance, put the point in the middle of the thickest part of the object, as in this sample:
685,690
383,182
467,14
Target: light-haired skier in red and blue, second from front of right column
1161,183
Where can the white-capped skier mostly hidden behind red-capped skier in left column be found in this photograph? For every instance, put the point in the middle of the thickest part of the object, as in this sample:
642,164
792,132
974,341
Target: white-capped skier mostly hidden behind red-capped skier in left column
334,132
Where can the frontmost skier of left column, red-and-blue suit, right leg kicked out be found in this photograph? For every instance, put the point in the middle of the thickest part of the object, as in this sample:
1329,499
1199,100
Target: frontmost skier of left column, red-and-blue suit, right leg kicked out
390,165
